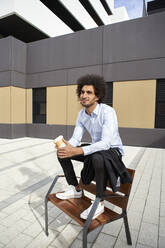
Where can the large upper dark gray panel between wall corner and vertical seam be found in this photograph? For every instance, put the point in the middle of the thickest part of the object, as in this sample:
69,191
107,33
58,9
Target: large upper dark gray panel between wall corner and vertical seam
73,50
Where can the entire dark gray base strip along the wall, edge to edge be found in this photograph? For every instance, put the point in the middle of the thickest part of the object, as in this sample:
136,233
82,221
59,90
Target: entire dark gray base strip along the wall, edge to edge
130,136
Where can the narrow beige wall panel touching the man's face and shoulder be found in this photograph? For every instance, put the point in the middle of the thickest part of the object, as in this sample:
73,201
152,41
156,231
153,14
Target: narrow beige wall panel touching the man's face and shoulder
73,105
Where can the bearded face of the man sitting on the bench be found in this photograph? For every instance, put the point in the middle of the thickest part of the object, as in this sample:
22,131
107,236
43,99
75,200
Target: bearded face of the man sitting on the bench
87,96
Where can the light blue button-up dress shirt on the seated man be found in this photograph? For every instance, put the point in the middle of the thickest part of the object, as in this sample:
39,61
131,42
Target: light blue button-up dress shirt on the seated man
101,125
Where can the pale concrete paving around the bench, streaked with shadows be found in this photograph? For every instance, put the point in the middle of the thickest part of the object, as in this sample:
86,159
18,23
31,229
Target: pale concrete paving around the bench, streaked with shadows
27,168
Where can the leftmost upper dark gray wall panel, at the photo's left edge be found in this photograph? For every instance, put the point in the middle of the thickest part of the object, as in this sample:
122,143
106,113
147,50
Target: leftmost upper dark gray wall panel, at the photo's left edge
5,54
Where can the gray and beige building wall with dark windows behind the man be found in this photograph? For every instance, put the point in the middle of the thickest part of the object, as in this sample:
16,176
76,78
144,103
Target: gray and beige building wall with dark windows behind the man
38,80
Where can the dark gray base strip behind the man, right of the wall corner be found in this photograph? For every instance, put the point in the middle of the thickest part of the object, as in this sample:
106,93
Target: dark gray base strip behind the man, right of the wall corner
130,136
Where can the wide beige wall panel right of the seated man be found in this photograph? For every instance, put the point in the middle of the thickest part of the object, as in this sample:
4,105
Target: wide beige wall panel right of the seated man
134,102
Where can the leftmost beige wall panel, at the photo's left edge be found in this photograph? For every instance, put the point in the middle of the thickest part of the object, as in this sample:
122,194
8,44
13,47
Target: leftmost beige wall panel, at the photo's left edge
5,105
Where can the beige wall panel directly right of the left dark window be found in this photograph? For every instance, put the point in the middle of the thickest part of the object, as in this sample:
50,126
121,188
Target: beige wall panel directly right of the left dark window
57,105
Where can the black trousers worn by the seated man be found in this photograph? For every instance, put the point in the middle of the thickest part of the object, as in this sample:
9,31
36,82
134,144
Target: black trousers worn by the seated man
98,165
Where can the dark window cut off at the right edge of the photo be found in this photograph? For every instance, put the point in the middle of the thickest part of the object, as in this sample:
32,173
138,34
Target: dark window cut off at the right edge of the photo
160,104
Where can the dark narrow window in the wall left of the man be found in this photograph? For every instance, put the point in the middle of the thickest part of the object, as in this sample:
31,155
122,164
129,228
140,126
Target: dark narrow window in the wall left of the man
39,105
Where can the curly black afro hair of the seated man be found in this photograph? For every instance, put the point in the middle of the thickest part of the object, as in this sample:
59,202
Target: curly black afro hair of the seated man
96,81
